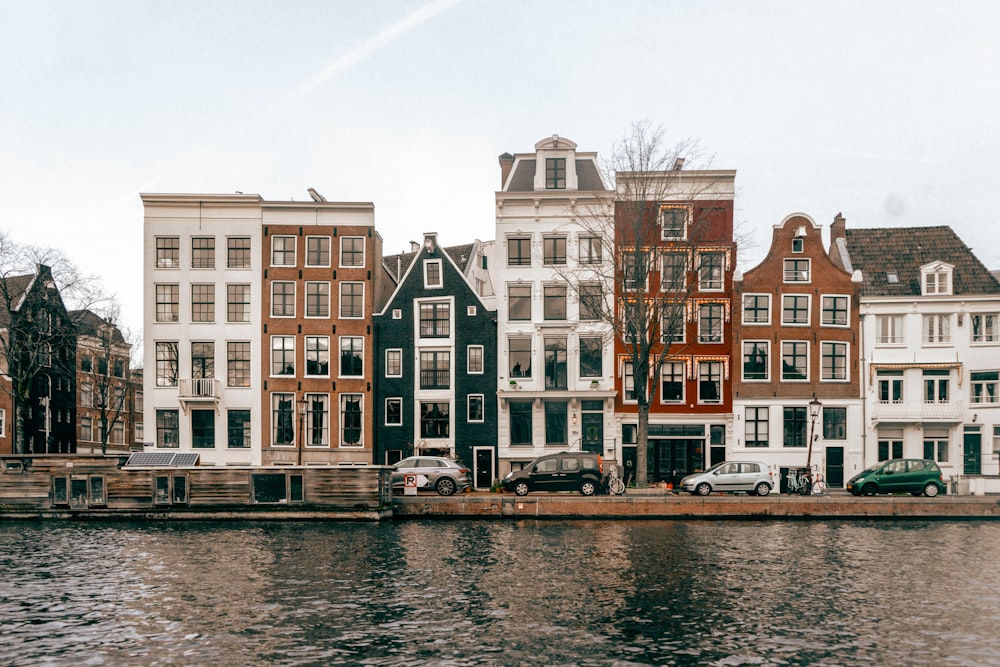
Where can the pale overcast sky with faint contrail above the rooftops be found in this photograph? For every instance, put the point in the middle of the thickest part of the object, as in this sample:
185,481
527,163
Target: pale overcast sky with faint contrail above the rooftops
886,111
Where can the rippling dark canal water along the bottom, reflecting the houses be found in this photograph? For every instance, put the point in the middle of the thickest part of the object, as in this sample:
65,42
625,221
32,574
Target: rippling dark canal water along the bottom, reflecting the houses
456,593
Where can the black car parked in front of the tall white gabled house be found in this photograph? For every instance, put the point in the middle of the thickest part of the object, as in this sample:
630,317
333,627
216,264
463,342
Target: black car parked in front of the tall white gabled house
565,471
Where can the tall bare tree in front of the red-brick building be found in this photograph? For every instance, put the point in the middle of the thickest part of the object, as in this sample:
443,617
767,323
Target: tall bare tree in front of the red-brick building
663,211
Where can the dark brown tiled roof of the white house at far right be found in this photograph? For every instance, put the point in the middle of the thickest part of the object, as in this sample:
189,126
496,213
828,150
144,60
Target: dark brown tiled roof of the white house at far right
903,250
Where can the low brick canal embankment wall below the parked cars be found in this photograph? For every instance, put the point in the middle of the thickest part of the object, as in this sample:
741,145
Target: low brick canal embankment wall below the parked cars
668,506
